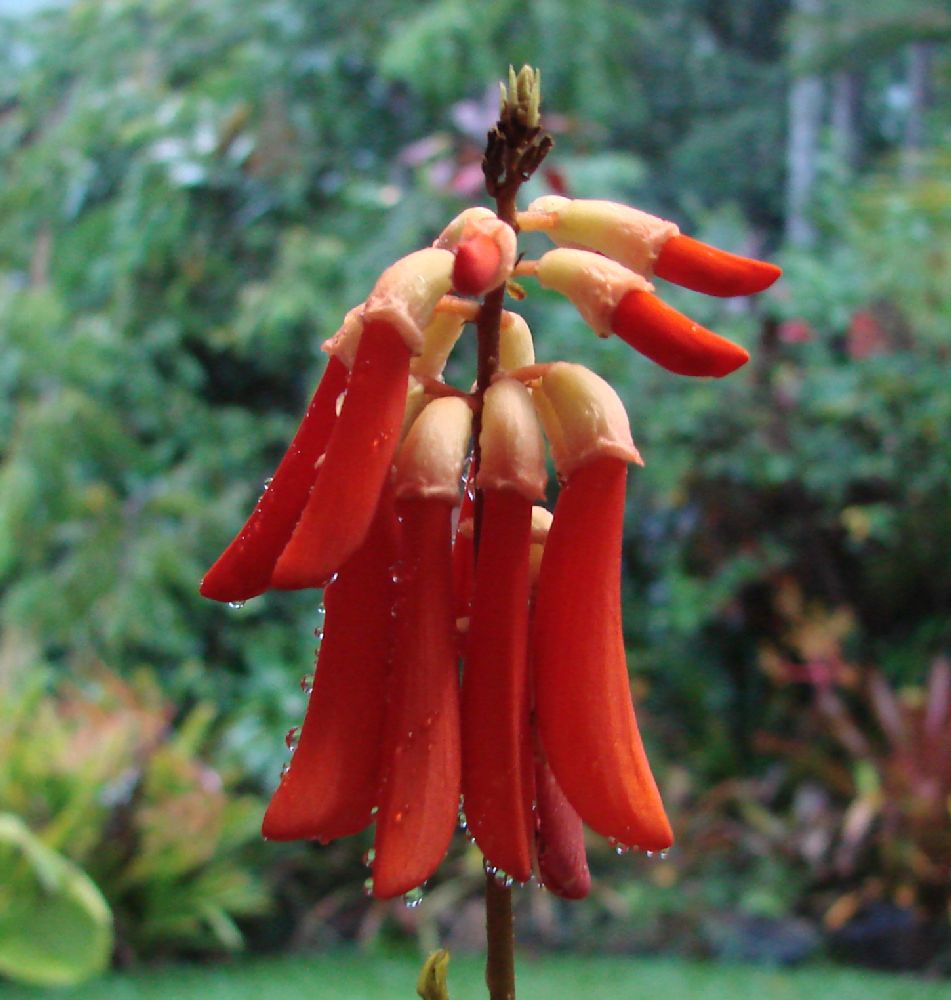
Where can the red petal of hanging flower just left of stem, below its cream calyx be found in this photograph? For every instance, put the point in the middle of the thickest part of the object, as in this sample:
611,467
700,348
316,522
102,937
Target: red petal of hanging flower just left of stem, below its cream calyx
419,796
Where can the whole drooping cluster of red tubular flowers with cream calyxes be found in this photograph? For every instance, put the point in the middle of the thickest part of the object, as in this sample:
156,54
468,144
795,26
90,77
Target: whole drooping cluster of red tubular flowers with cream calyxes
427,567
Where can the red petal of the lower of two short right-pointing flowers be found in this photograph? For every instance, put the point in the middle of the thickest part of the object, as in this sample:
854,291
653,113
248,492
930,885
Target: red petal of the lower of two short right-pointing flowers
673,340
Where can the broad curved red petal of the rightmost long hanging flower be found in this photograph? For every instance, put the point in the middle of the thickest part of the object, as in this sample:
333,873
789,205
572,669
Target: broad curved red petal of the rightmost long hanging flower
582,693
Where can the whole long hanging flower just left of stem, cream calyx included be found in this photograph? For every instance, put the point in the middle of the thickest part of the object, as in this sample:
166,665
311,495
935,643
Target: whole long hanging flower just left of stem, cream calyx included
419,795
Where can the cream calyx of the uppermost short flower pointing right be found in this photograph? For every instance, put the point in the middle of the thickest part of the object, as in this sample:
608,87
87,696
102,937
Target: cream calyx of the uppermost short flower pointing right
627,235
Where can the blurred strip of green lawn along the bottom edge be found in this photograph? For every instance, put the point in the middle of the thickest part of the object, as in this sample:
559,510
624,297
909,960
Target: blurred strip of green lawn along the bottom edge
352,976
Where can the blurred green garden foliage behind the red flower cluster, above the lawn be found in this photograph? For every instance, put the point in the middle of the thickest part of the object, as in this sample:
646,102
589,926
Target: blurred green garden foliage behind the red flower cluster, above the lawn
193,192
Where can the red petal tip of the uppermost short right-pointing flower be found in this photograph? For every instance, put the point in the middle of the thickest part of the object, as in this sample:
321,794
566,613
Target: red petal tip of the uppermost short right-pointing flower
703,268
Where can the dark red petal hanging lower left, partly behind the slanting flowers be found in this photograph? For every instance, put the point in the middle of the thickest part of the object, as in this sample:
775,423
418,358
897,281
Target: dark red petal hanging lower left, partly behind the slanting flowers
331,785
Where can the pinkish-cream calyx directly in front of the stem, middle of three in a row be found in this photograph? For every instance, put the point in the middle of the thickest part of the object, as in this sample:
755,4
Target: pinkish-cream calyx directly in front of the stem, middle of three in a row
512,447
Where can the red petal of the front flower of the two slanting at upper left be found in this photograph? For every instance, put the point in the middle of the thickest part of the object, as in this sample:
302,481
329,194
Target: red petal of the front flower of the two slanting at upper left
358,457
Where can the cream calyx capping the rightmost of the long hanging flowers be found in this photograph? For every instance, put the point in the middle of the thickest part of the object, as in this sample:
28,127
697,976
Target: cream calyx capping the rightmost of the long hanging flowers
584,418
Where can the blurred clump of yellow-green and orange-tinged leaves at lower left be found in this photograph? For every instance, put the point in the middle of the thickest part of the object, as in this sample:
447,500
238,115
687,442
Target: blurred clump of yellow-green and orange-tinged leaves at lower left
100,777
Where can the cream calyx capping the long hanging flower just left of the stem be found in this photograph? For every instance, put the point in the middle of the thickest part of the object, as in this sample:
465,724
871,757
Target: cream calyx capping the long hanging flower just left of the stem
429,463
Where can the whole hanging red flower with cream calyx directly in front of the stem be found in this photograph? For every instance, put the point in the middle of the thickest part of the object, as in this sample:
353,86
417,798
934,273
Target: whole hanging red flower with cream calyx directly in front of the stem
497,773
